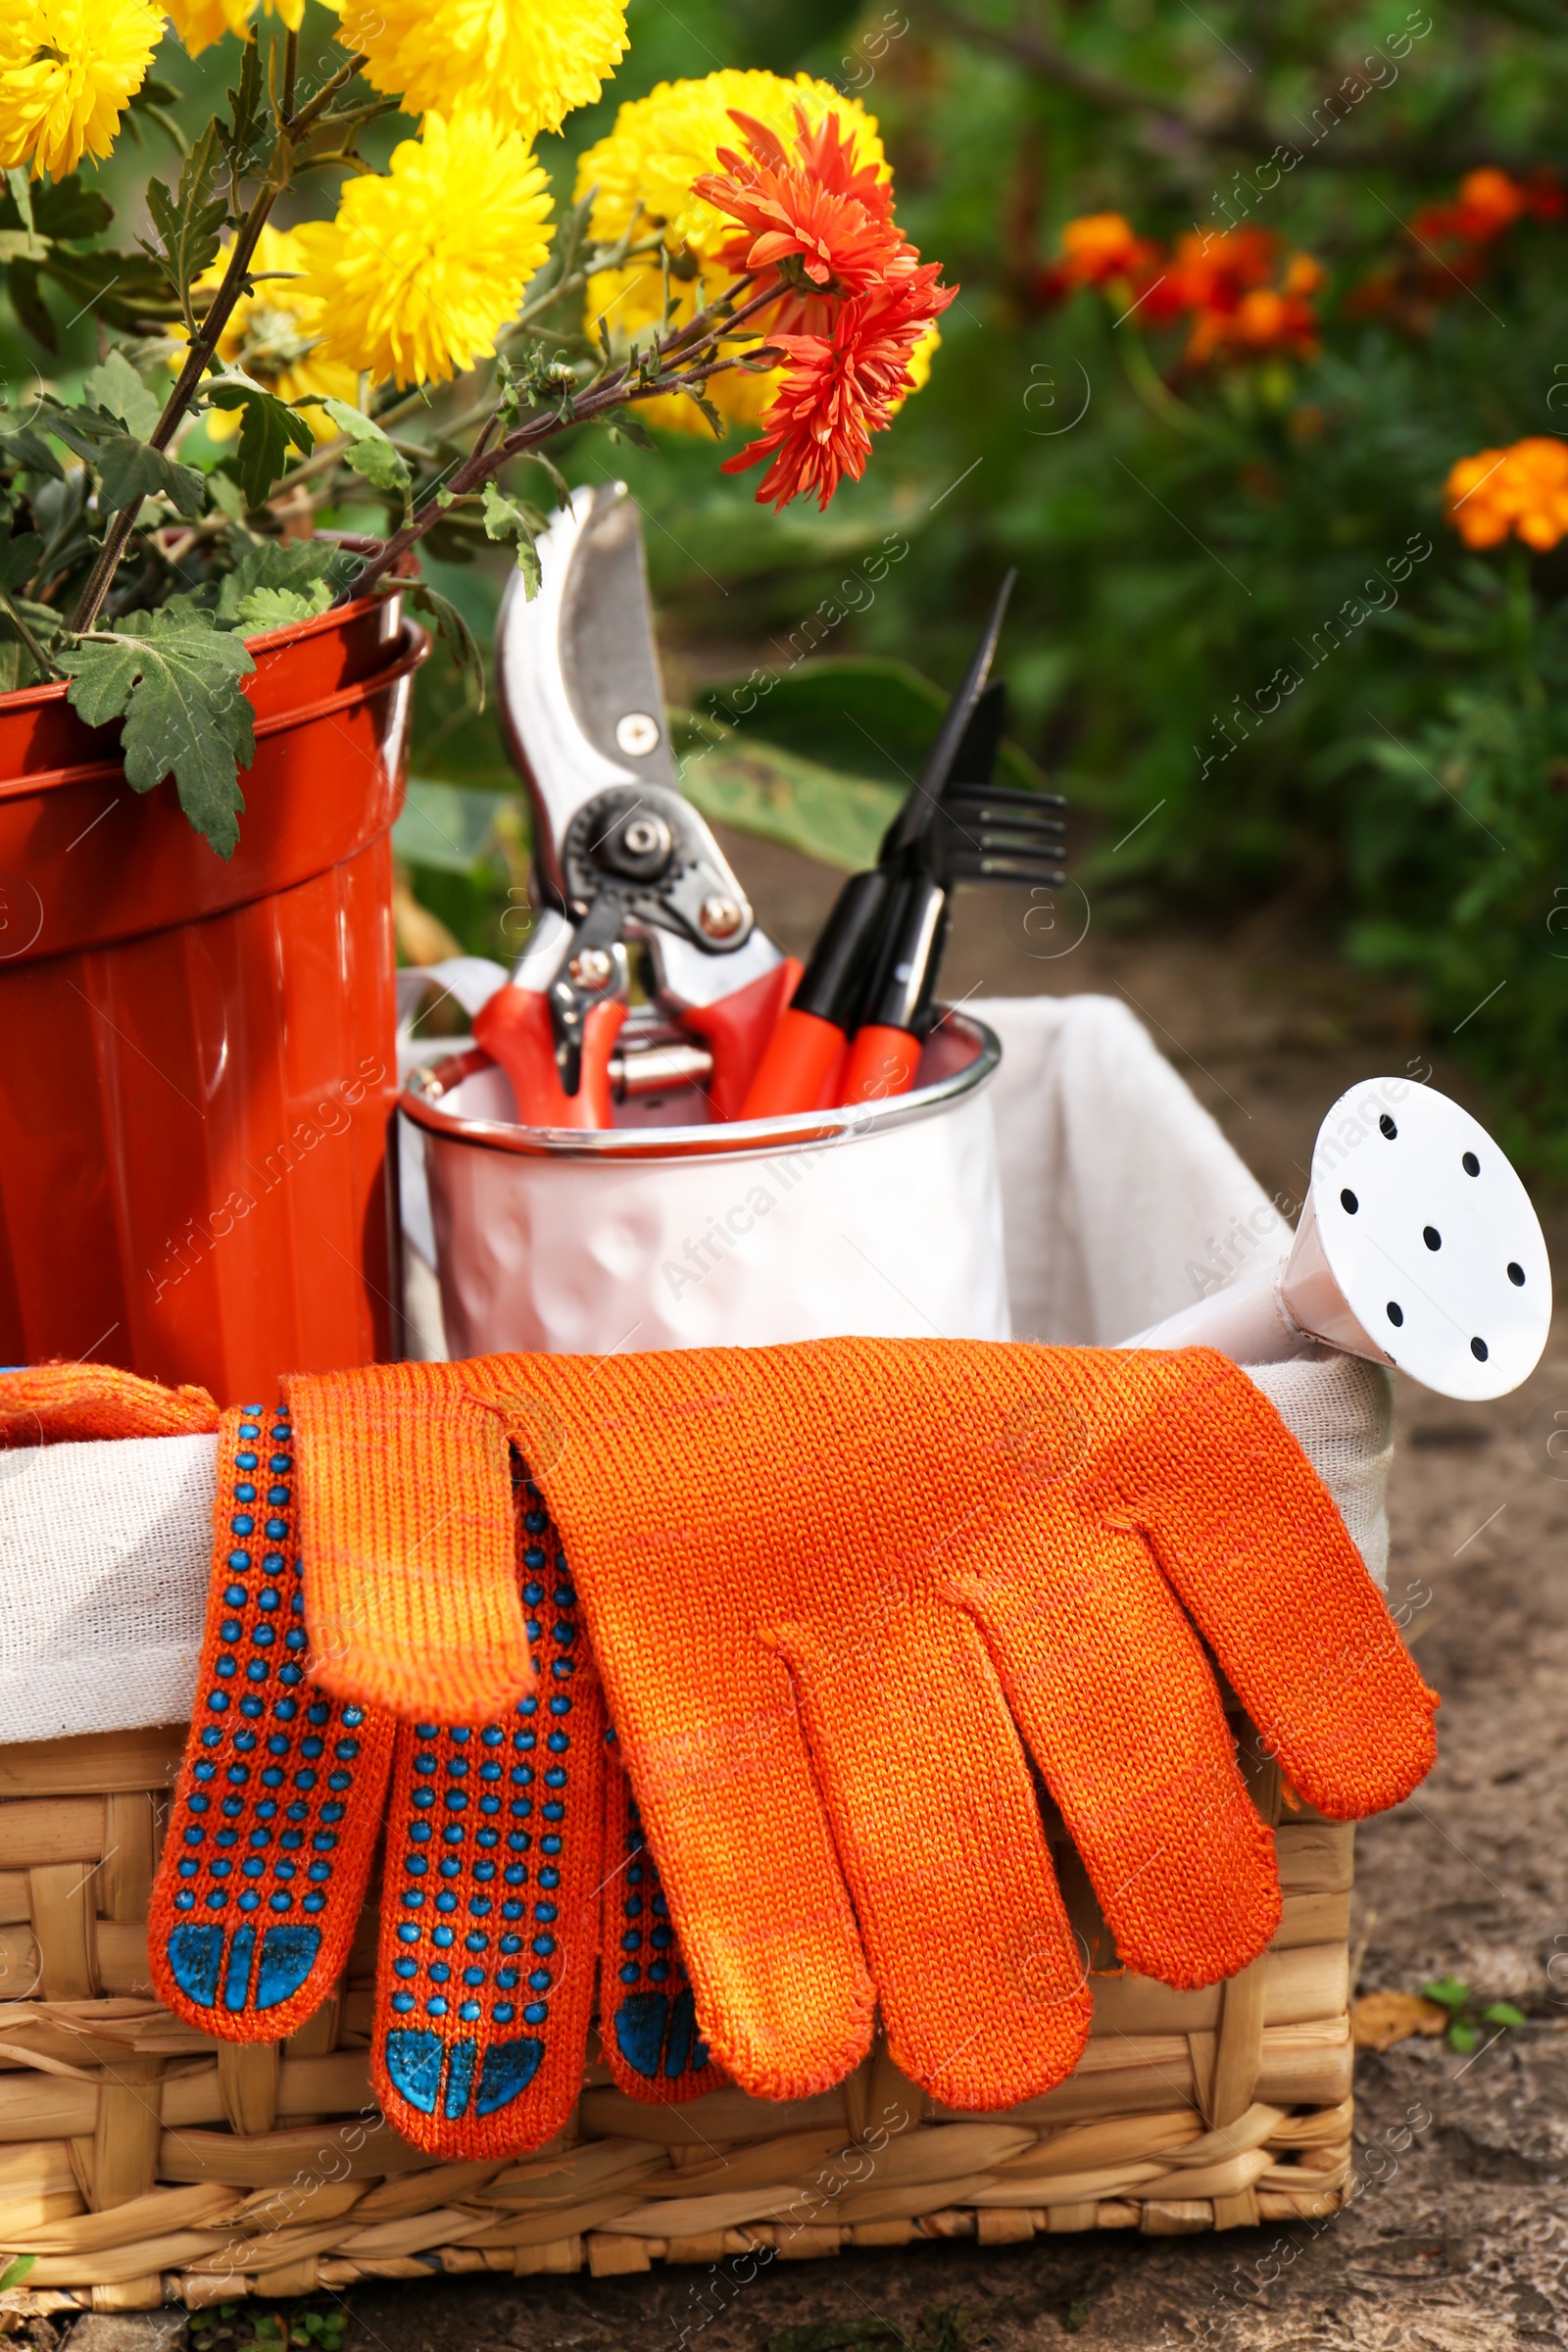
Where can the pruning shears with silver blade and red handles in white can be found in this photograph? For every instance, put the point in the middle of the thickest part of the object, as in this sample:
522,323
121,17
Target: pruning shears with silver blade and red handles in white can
619,855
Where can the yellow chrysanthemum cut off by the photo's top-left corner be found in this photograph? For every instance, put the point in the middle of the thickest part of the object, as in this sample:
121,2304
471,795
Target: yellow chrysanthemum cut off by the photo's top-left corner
67,76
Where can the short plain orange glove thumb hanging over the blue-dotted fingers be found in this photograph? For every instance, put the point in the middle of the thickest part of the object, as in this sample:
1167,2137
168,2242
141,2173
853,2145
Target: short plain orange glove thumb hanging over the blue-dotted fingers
408,1542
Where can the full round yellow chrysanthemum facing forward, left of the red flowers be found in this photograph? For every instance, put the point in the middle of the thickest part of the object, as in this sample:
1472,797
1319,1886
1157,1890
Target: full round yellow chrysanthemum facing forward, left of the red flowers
422,267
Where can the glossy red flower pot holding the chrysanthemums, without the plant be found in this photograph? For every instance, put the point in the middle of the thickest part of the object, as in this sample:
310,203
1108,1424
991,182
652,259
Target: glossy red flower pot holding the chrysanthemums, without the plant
199,1057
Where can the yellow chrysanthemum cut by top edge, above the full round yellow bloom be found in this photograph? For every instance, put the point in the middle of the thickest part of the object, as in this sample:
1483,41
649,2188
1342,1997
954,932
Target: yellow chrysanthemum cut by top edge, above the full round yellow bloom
528,62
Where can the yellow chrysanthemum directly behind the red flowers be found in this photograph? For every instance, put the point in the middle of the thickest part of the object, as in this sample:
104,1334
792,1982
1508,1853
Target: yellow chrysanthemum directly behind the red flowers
643,178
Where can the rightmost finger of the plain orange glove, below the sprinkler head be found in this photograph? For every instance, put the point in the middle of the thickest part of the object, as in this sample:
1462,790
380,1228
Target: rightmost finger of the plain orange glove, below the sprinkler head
1261,1558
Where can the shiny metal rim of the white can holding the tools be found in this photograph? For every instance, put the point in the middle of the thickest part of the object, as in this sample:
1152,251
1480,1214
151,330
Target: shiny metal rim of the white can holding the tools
746,1140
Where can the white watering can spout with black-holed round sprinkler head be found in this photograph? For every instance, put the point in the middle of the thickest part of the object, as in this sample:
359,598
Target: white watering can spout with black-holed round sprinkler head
1416,1248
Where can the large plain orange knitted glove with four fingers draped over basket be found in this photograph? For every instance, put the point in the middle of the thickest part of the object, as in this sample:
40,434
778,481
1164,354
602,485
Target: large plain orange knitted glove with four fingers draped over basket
826,1584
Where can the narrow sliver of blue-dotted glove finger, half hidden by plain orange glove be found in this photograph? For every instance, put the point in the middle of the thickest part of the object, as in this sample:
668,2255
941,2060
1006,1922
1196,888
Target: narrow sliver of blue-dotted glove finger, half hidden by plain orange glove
648,2010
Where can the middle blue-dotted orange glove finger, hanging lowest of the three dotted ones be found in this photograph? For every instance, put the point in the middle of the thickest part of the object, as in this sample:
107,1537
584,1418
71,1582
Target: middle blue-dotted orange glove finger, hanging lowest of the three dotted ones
490,1923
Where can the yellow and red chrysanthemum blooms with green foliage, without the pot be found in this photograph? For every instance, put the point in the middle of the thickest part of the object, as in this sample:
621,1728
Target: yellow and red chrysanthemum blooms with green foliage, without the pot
730,260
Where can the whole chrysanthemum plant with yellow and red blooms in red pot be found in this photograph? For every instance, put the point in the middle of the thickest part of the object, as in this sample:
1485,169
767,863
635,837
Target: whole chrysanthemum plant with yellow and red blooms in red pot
206,714
